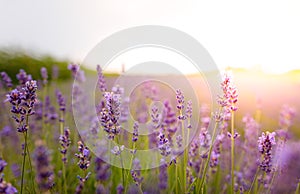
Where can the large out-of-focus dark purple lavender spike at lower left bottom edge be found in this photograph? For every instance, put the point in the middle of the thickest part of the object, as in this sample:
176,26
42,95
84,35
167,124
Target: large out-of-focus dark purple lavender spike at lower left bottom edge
44,175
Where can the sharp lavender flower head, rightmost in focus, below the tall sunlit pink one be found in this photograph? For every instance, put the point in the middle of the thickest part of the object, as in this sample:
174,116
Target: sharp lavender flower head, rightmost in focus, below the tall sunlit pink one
265,144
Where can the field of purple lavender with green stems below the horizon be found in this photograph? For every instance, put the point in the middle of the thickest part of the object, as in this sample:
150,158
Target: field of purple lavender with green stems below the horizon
194,148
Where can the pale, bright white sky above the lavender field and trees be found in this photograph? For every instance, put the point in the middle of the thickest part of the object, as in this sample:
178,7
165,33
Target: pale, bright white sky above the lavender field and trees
247,34
